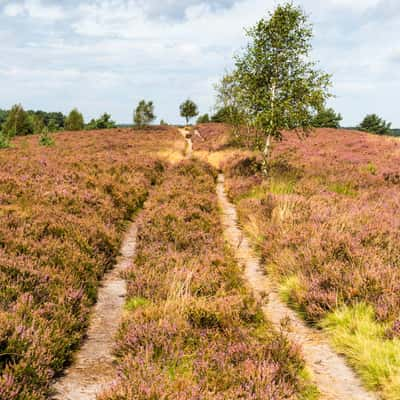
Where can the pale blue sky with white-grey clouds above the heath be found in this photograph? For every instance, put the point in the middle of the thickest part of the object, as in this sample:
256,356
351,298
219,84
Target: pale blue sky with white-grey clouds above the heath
106,55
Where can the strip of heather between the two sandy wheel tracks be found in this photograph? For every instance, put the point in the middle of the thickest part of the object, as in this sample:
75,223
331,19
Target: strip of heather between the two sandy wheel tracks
192,330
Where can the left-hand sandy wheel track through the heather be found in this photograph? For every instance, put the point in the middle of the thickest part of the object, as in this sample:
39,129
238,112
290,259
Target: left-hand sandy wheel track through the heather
93,368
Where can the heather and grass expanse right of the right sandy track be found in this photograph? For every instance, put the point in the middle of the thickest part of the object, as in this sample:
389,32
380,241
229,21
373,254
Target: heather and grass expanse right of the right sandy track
327,224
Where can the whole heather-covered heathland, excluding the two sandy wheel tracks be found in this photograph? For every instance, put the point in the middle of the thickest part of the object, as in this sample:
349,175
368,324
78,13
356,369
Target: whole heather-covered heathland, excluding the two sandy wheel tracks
324,223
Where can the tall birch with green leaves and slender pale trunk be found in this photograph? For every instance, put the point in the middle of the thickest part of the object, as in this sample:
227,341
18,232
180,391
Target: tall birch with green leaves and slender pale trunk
278,87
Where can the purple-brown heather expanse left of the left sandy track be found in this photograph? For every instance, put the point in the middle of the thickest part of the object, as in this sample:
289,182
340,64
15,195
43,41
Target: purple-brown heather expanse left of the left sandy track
62,211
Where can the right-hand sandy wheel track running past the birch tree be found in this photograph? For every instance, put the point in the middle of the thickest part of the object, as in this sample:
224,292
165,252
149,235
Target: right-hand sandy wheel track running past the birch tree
334,379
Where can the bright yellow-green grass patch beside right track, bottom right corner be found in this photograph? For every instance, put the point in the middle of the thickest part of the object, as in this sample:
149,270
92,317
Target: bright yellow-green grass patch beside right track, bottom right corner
355,332
